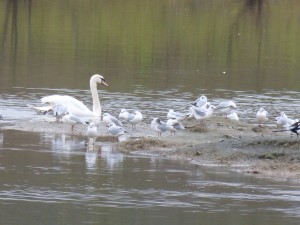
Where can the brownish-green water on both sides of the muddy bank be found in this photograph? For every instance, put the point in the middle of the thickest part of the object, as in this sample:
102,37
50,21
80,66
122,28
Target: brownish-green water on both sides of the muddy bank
155,55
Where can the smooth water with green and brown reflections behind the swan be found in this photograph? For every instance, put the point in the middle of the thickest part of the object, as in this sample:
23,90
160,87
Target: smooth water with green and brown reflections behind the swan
232,44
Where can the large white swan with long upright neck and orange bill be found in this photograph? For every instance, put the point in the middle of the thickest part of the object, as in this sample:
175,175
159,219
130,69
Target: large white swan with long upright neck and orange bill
75,106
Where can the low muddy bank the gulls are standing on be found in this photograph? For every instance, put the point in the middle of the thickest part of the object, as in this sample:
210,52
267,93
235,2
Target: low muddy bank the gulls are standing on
221,142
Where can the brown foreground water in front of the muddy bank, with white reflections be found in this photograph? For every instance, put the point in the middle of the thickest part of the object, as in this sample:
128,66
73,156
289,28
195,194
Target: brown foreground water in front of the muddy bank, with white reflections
55,179
